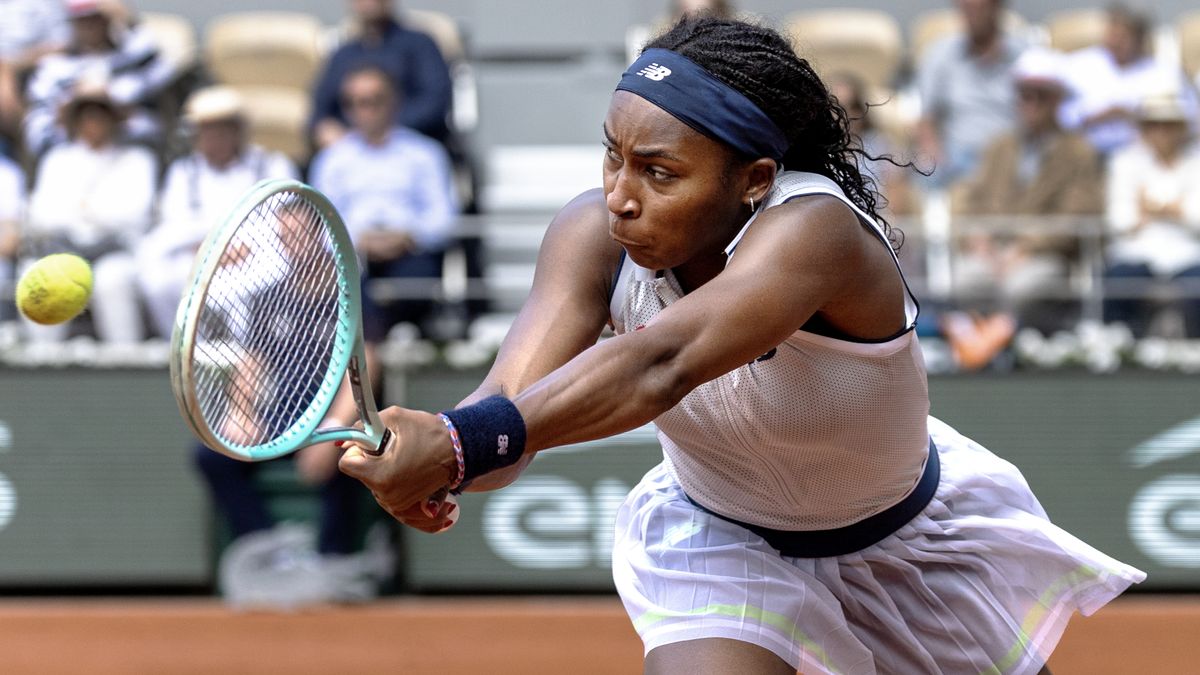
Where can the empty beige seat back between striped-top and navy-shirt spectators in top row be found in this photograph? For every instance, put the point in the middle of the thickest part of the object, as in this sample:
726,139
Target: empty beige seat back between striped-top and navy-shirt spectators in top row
265,49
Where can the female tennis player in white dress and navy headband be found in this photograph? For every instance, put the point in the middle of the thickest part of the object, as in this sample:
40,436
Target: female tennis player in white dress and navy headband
808,513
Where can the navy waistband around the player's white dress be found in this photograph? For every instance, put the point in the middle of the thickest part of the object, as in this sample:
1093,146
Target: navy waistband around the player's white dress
851,539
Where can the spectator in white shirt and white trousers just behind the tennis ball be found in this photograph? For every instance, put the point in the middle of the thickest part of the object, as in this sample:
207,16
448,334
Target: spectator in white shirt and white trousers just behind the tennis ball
94,198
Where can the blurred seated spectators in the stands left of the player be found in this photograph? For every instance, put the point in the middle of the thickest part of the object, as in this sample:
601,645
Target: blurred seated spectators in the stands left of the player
124,141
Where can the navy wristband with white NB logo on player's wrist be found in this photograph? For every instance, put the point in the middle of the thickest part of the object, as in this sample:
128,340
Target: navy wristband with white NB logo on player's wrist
493,435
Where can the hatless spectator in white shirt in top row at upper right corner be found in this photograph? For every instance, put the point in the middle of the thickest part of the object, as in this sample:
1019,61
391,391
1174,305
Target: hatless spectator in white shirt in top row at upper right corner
1109,80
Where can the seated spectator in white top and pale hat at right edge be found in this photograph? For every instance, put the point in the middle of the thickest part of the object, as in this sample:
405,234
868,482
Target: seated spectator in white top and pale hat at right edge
1154,214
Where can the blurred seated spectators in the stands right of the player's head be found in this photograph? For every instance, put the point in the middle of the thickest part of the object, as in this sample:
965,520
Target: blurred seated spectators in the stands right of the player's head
1047,172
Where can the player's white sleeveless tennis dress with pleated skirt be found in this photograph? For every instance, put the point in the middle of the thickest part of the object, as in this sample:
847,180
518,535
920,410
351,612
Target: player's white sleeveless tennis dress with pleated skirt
910,549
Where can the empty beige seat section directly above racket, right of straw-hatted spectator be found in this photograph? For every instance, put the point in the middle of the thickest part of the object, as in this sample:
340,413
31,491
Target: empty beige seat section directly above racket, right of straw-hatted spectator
279,118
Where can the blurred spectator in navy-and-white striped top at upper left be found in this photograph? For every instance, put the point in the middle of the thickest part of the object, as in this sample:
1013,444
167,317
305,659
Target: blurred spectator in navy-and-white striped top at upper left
103,46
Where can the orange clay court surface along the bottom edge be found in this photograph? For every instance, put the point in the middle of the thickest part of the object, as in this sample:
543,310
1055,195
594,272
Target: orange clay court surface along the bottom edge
1138,635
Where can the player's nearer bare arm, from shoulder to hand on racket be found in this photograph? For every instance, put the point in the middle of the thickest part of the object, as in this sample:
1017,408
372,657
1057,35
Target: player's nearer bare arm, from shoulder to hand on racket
803,258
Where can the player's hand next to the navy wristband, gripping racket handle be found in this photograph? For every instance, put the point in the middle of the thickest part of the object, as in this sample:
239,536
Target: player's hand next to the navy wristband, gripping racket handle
418,463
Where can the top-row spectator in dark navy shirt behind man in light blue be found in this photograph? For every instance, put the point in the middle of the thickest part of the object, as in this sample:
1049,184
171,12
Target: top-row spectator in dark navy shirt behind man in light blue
410,58
